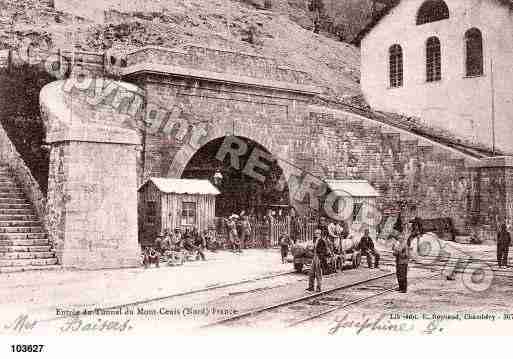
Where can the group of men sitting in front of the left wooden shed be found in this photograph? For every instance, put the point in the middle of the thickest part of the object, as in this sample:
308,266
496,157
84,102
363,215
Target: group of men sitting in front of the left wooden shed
174,246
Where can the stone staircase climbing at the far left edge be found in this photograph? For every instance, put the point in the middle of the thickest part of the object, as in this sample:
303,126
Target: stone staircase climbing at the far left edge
24,244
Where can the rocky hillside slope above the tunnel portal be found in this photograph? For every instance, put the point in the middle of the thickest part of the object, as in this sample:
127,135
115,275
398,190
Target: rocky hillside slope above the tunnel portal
283,31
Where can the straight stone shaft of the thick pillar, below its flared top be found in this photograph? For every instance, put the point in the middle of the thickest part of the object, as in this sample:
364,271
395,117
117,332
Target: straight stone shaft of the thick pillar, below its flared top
91,207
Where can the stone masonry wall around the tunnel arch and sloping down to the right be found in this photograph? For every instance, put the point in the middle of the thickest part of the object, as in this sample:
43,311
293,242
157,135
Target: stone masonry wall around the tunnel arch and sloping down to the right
430,181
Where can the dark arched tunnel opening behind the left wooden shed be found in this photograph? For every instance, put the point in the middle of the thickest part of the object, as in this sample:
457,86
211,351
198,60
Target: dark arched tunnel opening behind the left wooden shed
252,182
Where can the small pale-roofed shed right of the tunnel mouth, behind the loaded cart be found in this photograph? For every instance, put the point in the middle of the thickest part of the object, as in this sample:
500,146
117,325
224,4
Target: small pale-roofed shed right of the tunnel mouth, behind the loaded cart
364,198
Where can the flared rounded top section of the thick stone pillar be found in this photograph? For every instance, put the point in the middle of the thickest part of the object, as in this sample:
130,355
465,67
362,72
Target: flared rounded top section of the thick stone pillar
91,110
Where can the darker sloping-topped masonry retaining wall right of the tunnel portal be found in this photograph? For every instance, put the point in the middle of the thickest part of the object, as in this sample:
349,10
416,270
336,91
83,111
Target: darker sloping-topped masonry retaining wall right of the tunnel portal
430,182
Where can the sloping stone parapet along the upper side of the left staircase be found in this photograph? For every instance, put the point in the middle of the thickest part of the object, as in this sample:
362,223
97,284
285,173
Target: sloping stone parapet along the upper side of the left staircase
10,156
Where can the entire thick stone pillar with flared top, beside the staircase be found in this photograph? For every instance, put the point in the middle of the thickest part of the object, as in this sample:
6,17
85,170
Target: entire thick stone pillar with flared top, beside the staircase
92,185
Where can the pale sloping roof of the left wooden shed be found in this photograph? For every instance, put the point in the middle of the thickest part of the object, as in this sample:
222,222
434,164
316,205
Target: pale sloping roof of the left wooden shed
182,186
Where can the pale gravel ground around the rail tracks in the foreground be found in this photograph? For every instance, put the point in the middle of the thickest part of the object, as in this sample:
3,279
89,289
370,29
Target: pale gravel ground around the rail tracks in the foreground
38,294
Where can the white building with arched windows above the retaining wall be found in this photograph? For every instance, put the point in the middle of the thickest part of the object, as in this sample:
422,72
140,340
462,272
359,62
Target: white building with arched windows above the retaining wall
448,63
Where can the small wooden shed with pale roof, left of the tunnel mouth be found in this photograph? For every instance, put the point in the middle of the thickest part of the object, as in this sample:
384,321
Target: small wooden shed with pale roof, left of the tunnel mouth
169,203
